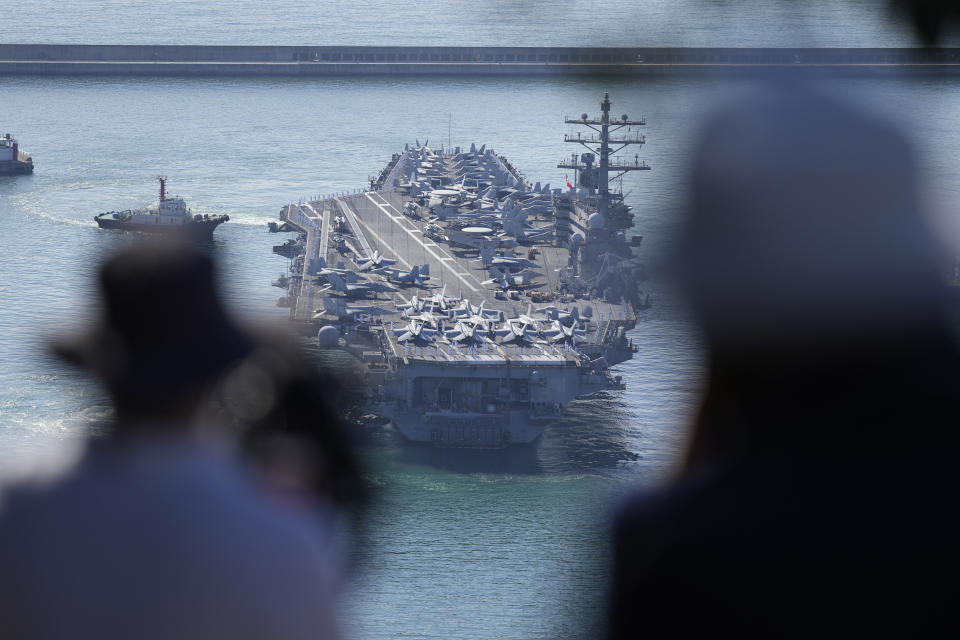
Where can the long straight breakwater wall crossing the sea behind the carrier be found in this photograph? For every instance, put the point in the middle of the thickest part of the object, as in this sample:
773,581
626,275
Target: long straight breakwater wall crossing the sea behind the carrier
306,61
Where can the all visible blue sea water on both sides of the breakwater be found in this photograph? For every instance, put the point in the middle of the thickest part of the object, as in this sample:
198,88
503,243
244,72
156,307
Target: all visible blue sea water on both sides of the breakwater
465,546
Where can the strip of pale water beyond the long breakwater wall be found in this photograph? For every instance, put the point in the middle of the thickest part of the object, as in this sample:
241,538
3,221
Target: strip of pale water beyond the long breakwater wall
758,23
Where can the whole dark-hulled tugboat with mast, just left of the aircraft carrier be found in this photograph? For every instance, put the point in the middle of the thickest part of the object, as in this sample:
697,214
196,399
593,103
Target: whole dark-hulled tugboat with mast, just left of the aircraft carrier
171,216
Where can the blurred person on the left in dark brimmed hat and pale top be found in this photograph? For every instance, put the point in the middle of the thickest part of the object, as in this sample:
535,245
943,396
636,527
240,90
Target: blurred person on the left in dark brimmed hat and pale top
162,529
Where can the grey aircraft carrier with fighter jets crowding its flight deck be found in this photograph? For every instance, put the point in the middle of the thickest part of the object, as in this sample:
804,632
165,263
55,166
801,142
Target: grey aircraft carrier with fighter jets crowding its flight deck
479,303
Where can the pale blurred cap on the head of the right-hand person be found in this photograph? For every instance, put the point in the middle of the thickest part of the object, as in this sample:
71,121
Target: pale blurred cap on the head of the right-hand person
805,231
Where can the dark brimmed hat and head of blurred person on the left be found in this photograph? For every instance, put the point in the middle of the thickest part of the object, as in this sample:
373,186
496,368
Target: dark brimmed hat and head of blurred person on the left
163,337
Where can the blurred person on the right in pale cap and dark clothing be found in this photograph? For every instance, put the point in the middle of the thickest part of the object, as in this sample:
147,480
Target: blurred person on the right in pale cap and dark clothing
818,496
